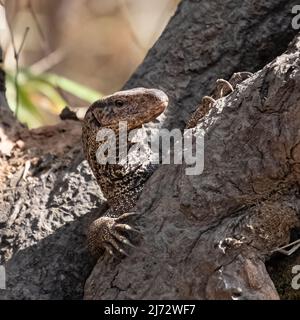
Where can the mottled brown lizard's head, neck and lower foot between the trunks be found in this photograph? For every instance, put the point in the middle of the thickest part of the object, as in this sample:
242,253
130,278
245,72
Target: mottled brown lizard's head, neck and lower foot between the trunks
120,184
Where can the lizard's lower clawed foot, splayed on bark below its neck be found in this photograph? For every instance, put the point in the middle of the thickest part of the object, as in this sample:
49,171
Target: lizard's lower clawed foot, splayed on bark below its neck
104,234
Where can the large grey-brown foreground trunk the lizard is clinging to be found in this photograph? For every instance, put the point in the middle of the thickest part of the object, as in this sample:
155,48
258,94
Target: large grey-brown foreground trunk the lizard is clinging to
207,236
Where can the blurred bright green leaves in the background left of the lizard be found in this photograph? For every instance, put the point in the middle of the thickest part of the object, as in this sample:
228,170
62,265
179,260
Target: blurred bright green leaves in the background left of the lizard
31,86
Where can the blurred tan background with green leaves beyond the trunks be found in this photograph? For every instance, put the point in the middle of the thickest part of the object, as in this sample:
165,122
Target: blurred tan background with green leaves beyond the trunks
71,52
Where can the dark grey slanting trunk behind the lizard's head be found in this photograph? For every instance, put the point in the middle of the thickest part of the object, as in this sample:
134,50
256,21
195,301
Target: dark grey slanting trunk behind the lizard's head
207,40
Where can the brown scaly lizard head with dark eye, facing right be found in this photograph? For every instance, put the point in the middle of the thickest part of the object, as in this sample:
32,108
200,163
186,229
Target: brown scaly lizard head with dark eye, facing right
136,107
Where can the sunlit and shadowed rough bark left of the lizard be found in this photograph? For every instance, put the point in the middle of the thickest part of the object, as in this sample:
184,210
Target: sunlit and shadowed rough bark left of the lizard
44,213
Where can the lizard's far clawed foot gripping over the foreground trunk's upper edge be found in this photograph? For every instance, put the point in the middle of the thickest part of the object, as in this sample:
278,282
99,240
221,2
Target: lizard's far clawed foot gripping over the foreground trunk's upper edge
222,89
